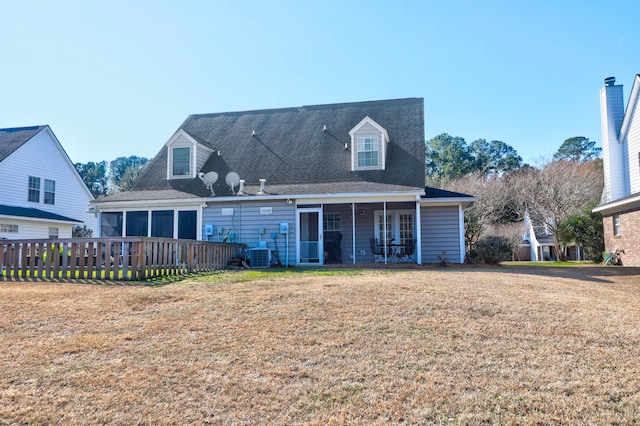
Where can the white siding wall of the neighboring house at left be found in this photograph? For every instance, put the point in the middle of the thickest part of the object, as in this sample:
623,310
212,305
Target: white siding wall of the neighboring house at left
42,157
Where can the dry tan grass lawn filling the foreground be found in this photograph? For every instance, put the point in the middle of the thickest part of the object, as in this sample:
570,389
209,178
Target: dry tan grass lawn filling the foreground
435,346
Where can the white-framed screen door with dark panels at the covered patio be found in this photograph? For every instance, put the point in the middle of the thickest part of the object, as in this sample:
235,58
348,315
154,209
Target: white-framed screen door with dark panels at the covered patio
310,247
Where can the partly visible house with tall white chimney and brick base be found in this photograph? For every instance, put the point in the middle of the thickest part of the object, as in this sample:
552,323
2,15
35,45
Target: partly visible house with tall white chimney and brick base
620,204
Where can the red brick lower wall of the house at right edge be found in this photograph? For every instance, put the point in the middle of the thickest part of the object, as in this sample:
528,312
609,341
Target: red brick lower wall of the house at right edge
628,238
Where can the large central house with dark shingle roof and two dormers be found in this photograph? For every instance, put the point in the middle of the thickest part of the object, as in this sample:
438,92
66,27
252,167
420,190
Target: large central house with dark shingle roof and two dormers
315,183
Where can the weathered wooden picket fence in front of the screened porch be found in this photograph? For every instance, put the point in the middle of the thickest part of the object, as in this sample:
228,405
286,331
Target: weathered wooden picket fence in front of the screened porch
130,258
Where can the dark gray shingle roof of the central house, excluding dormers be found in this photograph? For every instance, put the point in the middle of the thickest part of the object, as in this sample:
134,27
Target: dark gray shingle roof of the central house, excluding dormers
293,153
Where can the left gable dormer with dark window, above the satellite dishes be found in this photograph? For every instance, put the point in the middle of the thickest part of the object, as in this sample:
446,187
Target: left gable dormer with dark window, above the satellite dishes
185,156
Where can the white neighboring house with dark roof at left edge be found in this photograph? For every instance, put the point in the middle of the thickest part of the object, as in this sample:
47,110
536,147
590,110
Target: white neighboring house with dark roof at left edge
41,193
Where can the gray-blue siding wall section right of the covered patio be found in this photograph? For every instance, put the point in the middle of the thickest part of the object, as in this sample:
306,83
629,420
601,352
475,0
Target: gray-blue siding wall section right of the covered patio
440,229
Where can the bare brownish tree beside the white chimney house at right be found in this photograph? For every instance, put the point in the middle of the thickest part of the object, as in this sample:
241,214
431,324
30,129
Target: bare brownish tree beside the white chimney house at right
555,192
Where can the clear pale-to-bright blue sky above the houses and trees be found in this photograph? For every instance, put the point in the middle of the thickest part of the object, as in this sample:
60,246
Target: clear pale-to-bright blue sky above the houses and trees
117,78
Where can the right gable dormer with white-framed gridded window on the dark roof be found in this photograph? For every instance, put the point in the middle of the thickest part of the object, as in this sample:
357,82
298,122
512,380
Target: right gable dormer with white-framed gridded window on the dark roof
368,145
